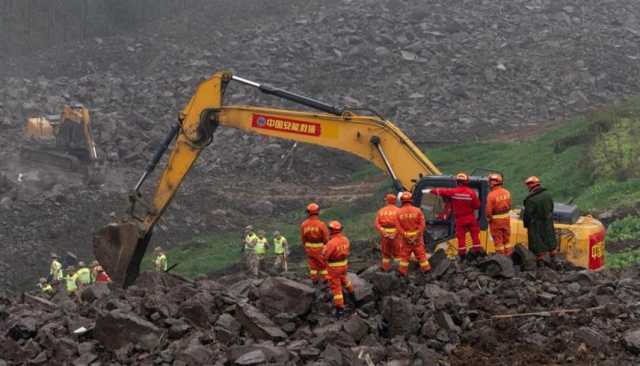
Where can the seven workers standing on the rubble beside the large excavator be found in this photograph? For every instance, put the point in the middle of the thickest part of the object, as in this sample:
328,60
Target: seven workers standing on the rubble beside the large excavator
401,231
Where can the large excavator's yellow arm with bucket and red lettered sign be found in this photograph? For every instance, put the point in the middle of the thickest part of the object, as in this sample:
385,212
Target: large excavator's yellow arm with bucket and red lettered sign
120,246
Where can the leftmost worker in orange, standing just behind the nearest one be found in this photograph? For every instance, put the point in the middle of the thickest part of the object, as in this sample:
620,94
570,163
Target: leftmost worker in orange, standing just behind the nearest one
314,235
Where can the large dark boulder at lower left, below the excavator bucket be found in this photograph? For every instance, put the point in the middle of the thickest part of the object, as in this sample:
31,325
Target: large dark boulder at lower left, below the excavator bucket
119,328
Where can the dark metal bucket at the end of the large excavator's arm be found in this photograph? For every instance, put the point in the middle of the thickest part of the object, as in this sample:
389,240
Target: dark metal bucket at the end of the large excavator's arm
119,247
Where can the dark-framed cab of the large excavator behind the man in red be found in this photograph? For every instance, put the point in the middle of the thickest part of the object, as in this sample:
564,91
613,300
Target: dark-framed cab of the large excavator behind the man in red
437,210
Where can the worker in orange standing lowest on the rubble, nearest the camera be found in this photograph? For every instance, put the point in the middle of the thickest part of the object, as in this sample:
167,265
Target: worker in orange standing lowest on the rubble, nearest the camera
335,254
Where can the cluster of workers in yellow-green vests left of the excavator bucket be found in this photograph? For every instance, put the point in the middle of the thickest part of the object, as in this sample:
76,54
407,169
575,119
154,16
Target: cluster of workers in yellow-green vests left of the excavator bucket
72,278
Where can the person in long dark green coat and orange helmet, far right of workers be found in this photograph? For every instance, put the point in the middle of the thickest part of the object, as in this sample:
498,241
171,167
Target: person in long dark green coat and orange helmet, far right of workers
538,219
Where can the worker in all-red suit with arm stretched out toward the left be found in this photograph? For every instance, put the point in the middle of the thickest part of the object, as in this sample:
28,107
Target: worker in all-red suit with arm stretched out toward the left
464,201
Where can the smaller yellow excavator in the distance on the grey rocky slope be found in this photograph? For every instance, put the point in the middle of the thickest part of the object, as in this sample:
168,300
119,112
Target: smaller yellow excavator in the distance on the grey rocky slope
64,141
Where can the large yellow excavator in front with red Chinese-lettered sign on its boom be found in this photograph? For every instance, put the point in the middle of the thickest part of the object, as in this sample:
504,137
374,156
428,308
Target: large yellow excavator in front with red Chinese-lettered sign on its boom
120,246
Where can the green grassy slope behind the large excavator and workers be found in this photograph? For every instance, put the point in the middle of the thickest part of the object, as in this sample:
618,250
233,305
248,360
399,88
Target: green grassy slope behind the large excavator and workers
593,159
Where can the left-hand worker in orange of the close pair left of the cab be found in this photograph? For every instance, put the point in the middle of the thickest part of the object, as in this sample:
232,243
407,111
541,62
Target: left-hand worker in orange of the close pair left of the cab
387,226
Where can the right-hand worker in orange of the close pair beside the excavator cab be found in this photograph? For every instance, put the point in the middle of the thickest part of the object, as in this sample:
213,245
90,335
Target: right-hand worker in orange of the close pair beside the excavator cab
411,226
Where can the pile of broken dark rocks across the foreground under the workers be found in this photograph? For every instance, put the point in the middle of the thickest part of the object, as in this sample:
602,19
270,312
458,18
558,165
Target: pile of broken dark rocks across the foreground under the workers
458,315
